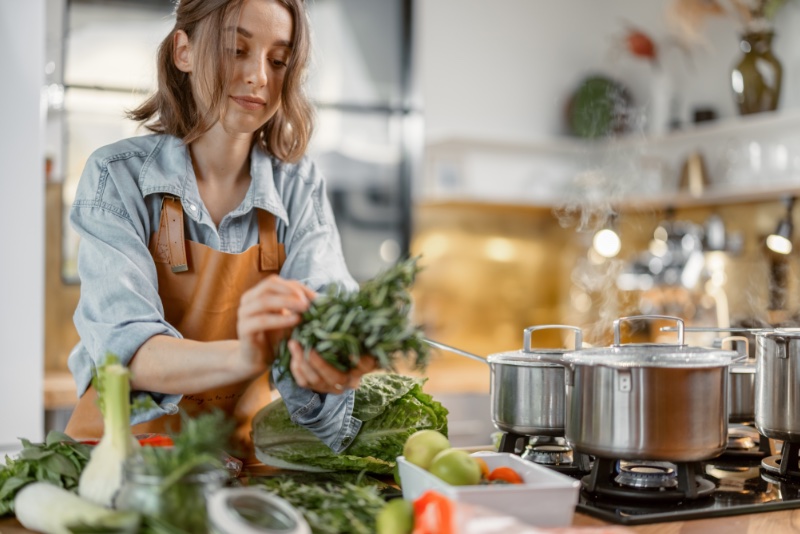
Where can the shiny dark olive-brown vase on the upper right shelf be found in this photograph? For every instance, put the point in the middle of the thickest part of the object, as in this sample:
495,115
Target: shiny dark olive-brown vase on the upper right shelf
756,79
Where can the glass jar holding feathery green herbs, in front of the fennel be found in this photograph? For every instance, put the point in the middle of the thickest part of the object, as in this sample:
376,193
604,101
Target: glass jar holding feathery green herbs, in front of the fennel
180,503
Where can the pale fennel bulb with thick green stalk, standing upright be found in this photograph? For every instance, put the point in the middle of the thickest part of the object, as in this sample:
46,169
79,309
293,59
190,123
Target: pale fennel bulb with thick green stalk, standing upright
101,479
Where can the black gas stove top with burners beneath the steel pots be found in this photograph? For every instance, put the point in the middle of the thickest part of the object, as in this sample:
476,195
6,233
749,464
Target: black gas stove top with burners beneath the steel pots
639,492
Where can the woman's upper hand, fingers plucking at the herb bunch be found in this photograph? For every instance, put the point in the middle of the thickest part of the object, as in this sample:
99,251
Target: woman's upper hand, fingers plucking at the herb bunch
267,313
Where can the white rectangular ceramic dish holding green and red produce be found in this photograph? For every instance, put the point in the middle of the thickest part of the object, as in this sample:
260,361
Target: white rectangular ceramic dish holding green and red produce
545,499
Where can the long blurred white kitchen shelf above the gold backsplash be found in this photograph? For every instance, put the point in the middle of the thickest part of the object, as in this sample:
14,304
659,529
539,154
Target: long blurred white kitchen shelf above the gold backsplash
753,158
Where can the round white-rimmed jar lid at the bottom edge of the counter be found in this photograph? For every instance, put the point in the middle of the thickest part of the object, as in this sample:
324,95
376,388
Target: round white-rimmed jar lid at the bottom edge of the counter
253,510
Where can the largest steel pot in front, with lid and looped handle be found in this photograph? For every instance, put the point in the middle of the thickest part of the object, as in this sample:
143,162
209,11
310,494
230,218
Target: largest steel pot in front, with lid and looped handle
648,401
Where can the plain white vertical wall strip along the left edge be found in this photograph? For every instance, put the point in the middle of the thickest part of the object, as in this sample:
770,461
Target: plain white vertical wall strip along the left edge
22,41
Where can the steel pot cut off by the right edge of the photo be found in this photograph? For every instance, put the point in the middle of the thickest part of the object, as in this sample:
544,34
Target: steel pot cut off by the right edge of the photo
778,384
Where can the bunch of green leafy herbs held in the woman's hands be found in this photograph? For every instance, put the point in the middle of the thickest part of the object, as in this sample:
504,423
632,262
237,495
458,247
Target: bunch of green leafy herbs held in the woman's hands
371,321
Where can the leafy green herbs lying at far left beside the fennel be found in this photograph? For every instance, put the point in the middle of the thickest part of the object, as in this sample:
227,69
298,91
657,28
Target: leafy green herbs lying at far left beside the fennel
59,460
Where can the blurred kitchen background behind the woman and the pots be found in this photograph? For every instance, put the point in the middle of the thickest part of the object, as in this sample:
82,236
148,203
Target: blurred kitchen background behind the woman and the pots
563,162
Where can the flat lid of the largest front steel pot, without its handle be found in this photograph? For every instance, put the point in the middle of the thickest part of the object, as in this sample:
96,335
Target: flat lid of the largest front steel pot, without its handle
652,355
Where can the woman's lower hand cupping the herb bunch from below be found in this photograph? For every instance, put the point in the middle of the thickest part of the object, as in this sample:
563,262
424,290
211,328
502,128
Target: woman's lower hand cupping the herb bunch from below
316,374
